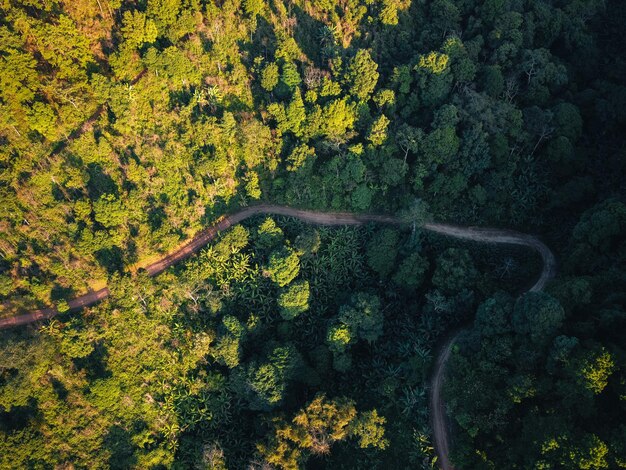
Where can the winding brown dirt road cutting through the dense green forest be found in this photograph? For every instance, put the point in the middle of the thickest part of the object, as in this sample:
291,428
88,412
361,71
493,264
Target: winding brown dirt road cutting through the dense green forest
483,235
